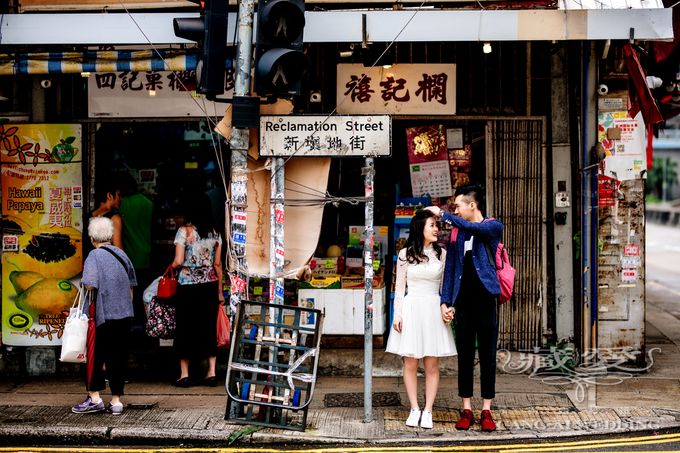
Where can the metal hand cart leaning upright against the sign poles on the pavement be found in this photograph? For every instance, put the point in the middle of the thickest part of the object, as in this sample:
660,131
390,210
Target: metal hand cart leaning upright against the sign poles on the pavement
272,365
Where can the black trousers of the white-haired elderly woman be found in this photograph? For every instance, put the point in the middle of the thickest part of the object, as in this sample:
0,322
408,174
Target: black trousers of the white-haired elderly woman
111,349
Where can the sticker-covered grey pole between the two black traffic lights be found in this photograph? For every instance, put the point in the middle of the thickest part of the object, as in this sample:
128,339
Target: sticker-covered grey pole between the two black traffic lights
239,151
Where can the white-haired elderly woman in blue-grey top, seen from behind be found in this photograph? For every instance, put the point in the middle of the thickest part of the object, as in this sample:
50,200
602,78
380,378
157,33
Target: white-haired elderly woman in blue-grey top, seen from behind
108,272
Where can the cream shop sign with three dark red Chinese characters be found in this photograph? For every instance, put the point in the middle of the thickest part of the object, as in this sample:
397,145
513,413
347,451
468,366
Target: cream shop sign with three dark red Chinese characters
400,90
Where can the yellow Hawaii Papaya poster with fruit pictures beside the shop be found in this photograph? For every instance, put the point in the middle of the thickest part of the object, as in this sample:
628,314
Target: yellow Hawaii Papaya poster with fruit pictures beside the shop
42,218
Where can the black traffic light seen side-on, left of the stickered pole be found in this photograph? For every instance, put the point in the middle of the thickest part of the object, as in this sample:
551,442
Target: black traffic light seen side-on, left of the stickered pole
210,32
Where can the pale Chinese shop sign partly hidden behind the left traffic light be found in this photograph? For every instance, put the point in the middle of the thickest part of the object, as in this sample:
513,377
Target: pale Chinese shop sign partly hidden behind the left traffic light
133,94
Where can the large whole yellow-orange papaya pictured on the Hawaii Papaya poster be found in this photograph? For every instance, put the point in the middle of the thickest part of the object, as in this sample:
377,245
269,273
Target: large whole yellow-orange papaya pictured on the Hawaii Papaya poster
50,296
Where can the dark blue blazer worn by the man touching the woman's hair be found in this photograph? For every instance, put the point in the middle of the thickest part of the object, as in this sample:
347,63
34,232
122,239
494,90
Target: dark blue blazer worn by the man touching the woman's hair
486,232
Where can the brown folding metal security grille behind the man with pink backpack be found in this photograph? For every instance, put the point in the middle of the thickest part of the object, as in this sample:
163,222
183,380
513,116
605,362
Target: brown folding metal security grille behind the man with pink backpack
515,188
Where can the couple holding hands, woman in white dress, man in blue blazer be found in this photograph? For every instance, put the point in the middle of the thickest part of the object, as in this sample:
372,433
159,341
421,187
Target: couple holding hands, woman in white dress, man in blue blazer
435,287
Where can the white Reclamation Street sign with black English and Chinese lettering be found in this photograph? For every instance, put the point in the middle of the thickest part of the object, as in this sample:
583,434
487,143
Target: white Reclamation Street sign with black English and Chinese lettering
321,135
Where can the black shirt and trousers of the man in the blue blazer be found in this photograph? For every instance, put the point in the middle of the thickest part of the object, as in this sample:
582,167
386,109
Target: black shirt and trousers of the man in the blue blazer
476,319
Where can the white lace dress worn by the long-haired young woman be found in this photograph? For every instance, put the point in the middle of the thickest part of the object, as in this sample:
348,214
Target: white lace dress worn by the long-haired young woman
416,300
